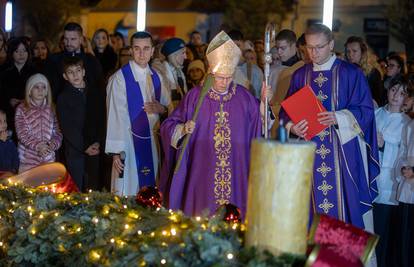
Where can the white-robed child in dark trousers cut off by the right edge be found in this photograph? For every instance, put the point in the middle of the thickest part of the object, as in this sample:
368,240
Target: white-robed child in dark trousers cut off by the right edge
404,171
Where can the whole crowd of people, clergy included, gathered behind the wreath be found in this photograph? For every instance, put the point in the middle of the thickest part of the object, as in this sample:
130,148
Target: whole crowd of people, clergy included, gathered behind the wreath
121,117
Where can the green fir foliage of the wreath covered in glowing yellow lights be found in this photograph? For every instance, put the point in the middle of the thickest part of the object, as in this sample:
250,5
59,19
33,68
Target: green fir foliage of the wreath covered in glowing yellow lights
38,228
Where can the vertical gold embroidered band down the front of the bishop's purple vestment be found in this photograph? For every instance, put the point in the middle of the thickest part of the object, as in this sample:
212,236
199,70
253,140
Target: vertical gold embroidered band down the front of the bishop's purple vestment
222,147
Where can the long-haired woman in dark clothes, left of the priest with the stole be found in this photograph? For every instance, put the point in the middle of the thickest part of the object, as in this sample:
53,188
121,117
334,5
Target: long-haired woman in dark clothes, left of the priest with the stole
104,52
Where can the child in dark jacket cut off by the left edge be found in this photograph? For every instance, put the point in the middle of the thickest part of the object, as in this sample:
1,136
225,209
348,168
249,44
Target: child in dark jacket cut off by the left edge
9,159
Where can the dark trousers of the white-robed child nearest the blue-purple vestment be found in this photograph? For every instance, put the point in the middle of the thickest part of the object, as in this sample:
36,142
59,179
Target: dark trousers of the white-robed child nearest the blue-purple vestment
385,219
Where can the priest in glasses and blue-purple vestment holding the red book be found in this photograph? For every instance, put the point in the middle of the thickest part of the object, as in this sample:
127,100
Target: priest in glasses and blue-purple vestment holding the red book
346,162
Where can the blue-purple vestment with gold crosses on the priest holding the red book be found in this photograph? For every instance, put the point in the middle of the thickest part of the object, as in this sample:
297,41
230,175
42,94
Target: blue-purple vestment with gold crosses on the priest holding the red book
341,188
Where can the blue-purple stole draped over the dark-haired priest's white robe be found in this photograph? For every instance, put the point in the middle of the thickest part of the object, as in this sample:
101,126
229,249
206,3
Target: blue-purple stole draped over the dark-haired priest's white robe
141,132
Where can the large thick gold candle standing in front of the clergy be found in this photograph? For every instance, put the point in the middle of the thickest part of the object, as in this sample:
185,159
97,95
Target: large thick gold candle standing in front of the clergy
278,174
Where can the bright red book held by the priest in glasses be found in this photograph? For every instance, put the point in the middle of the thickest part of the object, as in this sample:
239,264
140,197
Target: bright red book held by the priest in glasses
304,105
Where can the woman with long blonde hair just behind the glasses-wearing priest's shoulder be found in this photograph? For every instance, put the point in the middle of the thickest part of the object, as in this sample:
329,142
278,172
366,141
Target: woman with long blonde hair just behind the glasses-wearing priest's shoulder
357,52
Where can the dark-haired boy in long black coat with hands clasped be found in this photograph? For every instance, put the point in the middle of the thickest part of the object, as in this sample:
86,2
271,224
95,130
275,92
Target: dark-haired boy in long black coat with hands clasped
81,112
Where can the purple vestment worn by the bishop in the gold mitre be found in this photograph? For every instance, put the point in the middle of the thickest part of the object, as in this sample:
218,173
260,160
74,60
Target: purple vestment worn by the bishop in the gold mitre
215,167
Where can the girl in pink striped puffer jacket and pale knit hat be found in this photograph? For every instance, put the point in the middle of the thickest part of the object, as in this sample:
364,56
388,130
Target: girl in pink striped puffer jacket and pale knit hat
36,125
